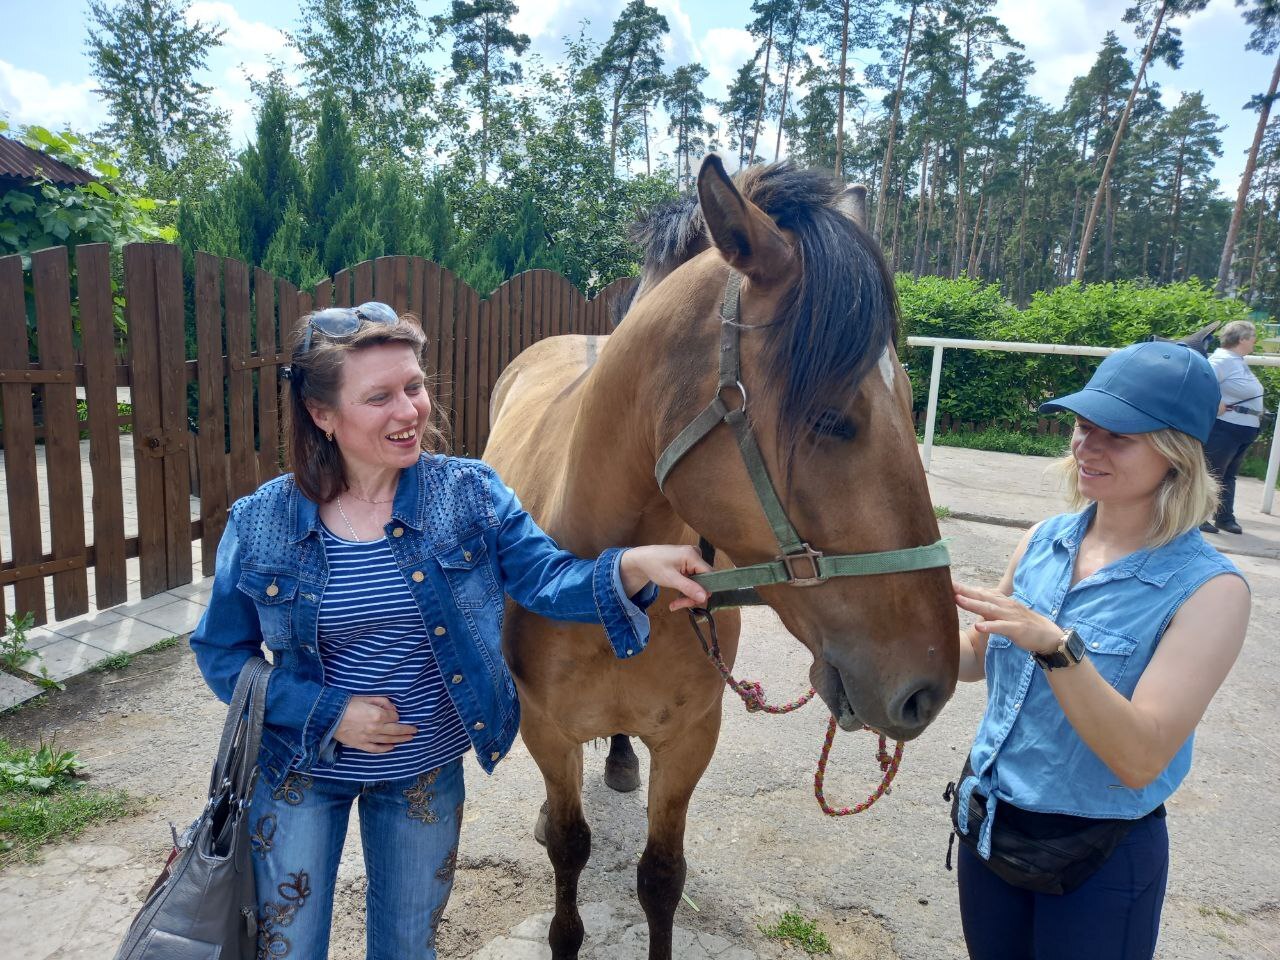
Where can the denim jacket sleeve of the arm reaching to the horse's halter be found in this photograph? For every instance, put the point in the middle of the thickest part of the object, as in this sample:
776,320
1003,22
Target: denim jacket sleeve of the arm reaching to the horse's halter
541,577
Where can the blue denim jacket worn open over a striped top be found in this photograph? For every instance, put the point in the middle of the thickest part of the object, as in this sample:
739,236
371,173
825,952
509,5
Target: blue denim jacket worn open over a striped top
461,541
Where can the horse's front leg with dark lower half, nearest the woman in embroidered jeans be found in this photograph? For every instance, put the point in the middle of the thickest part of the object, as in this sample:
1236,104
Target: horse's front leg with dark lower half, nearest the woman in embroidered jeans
569,838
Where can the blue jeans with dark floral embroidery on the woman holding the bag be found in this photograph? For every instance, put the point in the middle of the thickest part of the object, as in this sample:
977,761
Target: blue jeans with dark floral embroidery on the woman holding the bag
409,830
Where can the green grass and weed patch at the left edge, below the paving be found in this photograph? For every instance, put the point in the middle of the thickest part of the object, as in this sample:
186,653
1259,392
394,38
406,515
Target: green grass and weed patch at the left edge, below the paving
44,801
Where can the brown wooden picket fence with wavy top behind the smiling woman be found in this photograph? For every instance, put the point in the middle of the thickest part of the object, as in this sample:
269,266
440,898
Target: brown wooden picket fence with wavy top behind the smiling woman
241,317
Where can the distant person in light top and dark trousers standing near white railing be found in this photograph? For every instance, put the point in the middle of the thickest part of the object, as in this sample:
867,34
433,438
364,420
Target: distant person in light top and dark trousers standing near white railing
1240,419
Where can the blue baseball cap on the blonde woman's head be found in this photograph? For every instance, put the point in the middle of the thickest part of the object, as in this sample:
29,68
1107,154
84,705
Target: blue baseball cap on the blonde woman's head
1149,387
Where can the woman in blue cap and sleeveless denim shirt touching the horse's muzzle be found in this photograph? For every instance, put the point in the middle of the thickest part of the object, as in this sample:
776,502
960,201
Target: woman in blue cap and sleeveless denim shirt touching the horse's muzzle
1103,646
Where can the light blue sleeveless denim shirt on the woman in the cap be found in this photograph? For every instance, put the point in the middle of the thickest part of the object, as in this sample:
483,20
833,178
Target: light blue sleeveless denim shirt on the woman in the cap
1026,751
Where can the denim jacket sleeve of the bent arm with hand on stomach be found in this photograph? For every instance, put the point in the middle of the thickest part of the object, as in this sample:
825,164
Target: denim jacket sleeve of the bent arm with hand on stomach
228,636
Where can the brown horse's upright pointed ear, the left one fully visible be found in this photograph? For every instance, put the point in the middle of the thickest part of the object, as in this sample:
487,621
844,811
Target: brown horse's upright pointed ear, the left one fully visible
744,235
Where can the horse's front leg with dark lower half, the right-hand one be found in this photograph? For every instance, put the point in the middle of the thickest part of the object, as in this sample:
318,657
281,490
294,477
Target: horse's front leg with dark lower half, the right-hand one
675,770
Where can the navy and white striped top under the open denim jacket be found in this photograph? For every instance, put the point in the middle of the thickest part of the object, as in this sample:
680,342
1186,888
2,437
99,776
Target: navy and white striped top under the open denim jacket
374,643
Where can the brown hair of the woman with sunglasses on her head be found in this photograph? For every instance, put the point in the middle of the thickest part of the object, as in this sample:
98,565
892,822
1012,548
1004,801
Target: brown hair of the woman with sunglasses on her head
316,378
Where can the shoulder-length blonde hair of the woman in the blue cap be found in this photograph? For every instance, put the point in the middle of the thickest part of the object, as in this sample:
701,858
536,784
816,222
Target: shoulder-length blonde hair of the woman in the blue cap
1187,496
